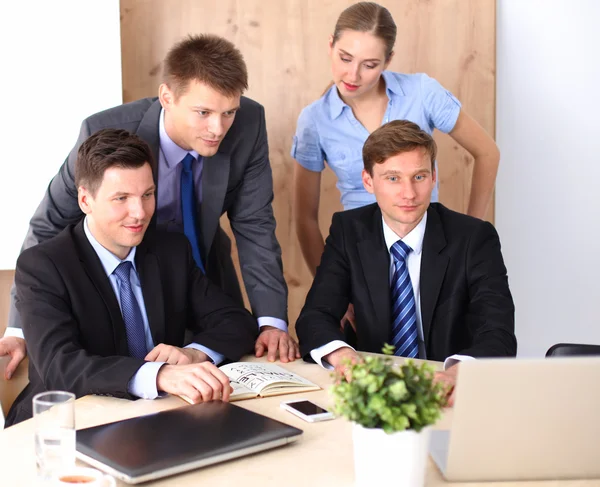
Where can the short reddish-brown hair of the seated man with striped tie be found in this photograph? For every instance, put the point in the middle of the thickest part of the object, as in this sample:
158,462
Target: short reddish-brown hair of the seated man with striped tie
395,138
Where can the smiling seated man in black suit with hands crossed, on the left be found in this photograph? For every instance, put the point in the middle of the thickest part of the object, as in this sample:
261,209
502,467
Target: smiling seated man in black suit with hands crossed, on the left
105,307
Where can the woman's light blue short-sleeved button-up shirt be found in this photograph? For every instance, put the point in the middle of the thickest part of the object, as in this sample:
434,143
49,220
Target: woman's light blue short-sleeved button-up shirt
328,131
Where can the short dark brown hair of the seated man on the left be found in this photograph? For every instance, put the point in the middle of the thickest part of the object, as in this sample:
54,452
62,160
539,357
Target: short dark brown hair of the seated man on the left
105,149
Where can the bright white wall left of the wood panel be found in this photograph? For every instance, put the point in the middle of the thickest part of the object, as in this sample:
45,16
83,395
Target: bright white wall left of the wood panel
60,62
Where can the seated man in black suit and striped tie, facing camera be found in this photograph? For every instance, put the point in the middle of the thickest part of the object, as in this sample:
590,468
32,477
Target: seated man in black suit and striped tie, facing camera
428,280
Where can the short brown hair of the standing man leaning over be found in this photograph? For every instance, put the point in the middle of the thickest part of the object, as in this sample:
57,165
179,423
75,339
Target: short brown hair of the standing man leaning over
209,59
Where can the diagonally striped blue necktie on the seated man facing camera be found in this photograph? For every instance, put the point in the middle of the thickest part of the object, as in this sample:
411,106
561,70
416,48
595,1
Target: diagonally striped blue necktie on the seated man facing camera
404,310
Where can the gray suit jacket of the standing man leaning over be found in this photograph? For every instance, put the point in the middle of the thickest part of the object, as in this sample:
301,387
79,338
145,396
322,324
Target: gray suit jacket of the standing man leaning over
237,180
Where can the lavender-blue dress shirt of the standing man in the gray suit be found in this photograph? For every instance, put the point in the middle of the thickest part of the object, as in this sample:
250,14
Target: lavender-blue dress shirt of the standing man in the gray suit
168,199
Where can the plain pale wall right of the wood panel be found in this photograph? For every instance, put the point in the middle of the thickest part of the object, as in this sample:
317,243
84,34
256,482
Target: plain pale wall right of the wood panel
547,127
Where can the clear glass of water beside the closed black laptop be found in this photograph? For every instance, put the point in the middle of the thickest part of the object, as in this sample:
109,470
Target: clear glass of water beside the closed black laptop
54,416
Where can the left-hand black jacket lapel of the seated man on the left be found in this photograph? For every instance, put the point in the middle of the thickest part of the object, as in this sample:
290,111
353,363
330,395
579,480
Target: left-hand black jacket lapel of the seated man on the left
93,267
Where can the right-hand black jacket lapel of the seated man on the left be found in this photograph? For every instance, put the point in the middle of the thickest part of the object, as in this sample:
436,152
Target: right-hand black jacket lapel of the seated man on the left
147,266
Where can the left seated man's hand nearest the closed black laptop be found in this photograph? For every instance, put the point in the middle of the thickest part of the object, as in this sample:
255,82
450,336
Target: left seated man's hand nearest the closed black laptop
197,382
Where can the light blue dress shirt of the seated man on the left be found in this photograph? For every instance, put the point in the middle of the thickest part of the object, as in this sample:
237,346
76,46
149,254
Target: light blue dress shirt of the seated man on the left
143,383
